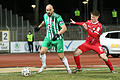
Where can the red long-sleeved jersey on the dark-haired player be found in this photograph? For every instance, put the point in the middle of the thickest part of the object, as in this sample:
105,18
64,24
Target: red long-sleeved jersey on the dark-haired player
93,31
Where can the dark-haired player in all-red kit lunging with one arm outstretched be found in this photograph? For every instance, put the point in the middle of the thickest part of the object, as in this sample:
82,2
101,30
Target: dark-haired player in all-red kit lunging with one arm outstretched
93,28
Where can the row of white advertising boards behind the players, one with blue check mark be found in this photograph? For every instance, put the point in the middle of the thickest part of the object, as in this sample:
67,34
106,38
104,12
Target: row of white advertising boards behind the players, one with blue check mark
21,47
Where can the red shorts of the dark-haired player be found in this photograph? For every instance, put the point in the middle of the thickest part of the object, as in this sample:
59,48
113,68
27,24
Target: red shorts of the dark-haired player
86,47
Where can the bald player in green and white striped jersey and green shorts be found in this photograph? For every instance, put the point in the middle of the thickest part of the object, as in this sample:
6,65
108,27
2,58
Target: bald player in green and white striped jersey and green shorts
55,27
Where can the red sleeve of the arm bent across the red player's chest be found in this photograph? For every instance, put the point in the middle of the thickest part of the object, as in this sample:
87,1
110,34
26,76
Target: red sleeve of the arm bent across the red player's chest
96,32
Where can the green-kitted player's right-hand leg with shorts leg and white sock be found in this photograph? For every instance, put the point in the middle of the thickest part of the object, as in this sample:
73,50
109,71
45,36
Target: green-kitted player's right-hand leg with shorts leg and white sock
60,50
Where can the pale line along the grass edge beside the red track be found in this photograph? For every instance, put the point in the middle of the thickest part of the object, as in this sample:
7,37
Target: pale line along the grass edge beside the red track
57,67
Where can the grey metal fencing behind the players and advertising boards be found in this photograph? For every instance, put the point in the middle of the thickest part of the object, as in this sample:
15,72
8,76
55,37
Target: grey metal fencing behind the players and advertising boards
19,28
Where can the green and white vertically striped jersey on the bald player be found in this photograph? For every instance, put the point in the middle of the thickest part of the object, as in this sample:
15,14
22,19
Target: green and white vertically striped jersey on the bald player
53,25
